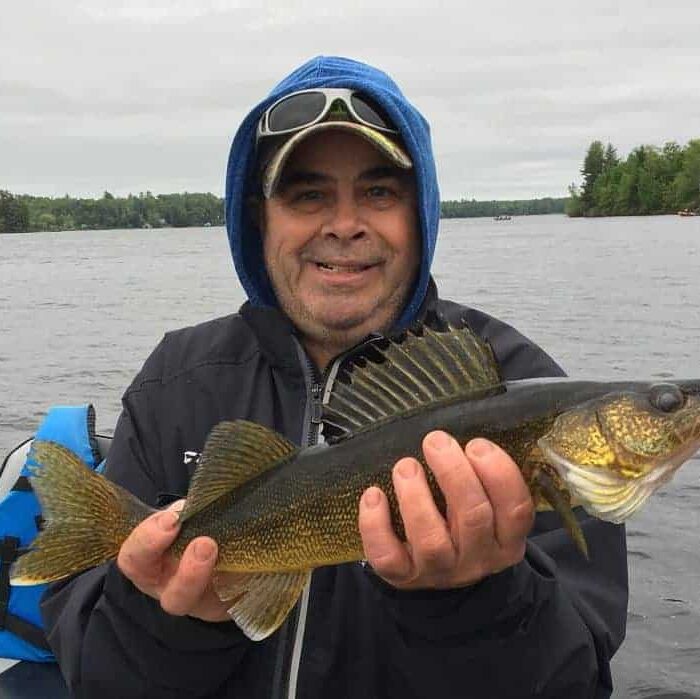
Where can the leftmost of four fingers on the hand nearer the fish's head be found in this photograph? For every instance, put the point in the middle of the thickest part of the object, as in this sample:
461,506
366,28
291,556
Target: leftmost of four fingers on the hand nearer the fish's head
384,551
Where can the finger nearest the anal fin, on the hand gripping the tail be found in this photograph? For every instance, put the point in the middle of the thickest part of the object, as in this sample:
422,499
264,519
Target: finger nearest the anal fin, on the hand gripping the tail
183,592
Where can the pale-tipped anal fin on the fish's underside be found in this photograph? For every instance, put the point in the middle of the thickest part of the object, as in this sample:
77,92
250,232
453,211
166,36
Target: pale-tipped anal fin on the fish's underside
262,601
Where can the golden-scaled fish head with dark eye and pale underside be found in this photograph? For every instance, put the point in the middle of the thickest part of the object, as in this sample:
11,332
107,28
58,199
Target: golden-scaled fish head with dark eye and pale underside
613,452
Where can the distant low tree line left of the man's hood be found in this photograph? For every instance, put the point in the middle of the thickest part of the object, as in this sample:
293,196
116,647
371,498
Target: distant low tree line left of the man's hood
21,213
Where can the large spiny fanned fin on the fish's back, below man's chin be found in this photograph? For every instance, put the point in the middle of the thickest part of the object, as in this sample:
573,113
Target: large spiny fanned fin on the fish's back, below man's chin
423,366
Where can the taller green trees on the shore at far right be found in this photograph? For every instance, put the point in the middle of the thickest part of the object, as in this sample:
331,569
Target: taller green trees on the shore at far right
651,180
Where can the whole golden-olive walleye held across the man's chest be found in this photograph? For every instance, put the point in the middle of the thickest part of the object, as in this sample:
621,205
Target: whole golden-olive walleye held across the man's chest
278,511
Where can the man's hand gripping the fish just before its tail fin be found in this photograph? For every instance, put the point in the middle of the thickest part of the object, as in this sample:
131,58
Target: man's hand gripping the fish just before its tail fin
183,586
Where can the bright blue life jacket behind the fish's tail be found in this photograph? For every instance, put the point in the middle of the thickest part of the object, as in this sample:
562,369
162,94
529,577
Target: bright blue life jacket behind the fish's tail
21,629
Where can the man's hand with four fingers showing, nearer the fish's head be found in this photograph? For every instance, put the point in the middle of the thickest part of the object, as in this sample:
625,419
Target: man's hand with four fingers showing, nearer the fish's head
489,514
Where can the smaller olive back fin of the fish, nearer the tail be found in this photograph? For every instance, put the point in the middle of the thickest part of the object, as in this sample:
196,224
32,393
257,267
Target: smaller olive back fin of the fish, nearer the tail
234,453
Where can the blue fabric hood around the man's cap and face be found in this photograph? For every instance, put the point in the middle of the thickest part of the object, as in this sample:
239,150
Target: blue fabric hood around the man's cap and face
329,71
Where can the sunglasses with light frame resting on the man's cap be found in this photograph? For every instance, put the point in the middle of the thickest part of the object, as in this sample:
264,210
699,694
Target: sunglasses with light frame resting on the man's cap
308,107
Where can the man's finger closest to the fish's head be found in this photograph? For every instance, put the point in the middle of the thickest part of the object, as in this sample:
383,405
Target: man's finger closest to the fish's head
504,485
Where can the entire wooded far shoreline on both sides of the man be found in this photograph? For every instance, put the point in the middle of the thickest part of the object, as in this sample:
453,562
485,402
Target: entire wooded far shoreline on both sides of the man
651,180
